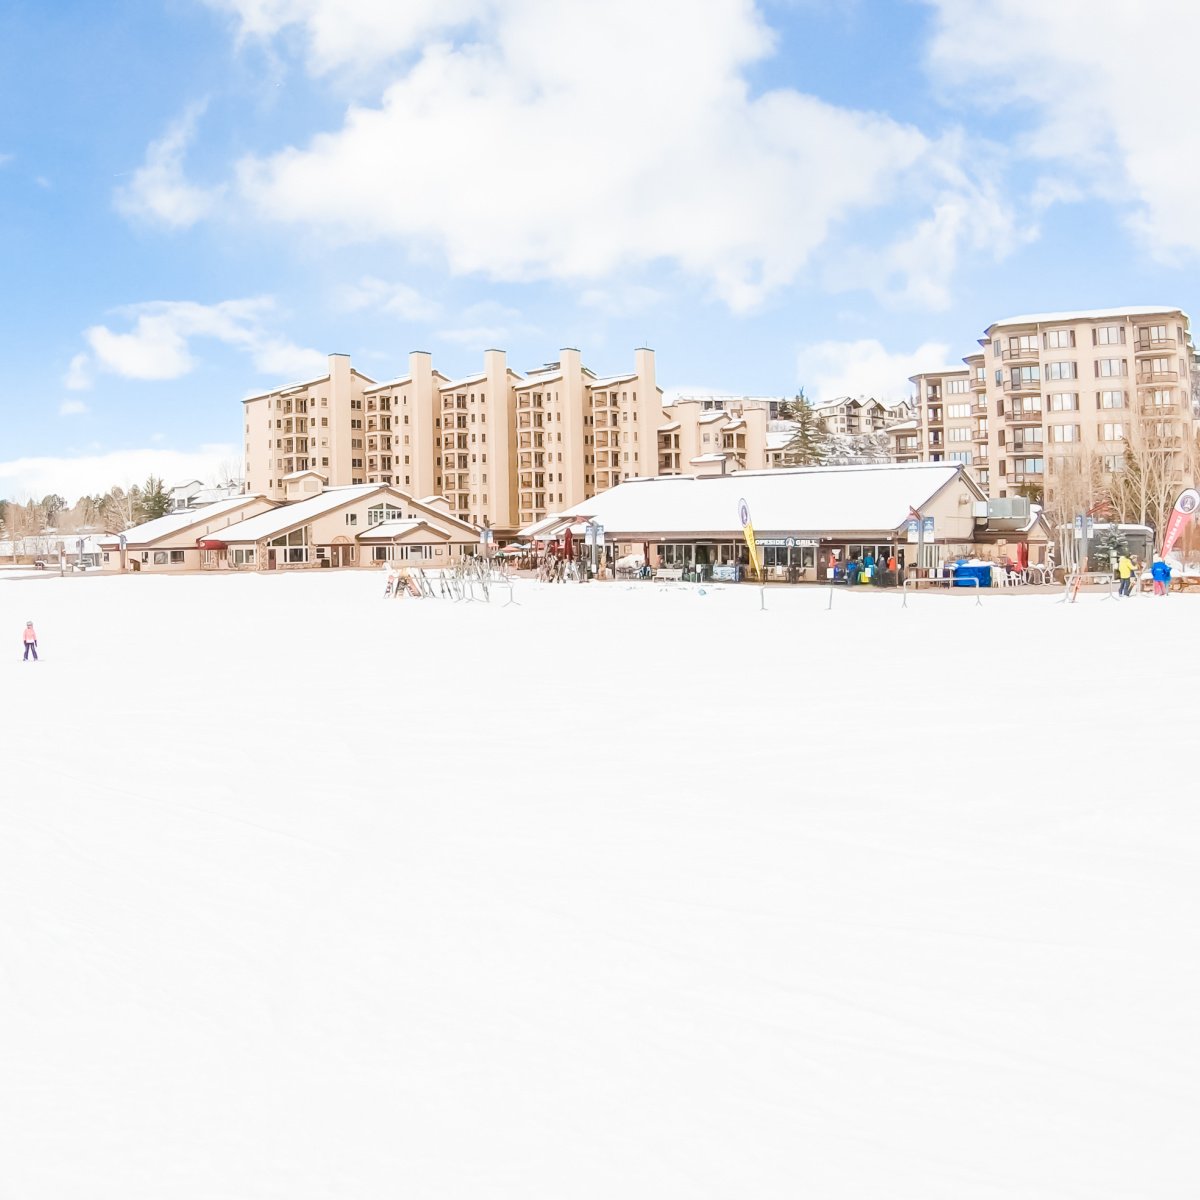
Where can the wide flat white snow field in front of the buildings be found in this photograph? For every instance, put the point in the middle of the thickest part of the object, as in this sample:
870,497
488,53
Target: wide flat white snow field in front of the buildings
621,892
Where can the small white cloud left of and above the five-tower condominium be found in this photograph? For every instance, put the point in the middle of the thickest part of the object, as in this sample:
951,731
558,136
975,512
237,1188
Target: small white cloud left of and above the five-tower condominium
160,345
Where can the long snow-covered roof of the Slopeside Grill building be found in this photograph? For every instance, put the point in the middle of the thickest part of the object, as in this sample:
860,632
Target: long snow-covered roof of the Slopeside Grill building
819,500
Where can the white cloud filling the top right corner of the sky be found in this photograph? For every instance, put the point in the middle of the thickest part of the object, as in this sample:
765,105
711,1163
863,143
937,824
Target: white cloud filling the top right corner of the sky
1109,91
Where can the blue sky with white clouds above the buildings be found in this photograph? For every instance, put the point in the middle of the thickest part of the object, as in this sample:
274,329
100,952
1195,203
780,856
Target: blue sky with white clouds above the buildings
202,199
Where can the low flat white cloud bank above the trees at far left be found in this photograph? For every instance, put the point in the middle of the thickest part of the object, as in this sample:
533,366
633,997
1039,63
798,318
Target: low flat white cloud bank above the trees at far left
88,475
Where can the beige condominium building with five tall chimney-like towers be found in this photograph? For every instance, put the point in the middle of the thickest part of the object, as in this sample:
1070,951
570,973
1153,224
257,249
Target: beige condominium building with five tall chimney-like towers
503,449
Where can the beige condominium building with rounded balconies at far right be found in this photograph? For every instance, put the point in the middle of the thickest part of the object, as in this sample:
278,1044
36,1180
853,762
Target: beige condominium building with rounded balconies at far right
1057,393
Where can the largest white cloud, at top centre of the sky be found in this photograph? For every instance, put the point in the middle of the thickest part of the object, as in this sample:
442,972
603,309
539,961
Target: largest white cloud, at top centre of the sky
497,147
